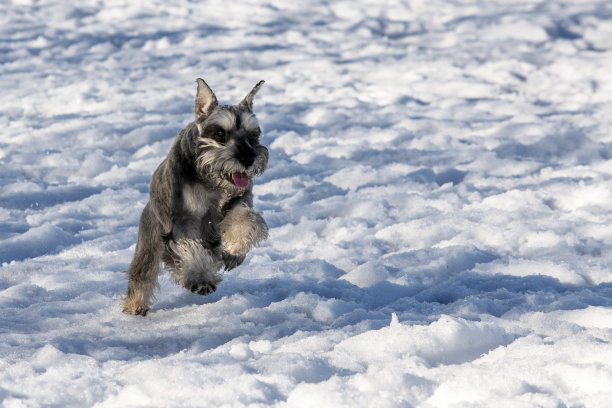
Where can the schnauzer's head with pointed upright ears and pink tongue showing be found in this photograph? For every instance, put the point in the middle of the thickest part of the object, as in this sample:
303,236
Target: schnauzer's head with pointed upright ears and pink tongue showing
229,151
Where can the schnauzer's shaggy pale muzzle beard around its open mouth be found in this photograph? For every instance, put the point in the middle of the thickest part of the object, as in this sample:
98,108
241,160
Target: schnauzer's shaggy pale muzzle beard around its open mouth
226,167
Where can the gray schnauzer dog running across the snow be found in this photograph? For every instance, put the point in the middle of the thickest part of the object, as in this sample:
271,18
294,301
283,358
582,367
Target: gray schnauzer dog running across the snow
200,218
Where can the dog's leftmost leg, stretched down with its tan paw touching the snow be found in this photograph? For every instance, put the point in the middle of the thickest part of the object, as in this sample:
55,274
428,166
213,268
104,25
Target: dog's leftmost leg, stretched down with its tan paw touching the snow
145,267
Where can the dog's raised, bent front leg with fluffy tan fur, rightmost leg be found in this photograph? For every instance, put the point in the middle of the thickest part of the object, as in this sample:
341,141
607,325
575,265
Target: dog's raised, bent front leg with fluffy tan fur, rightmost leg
241,229
